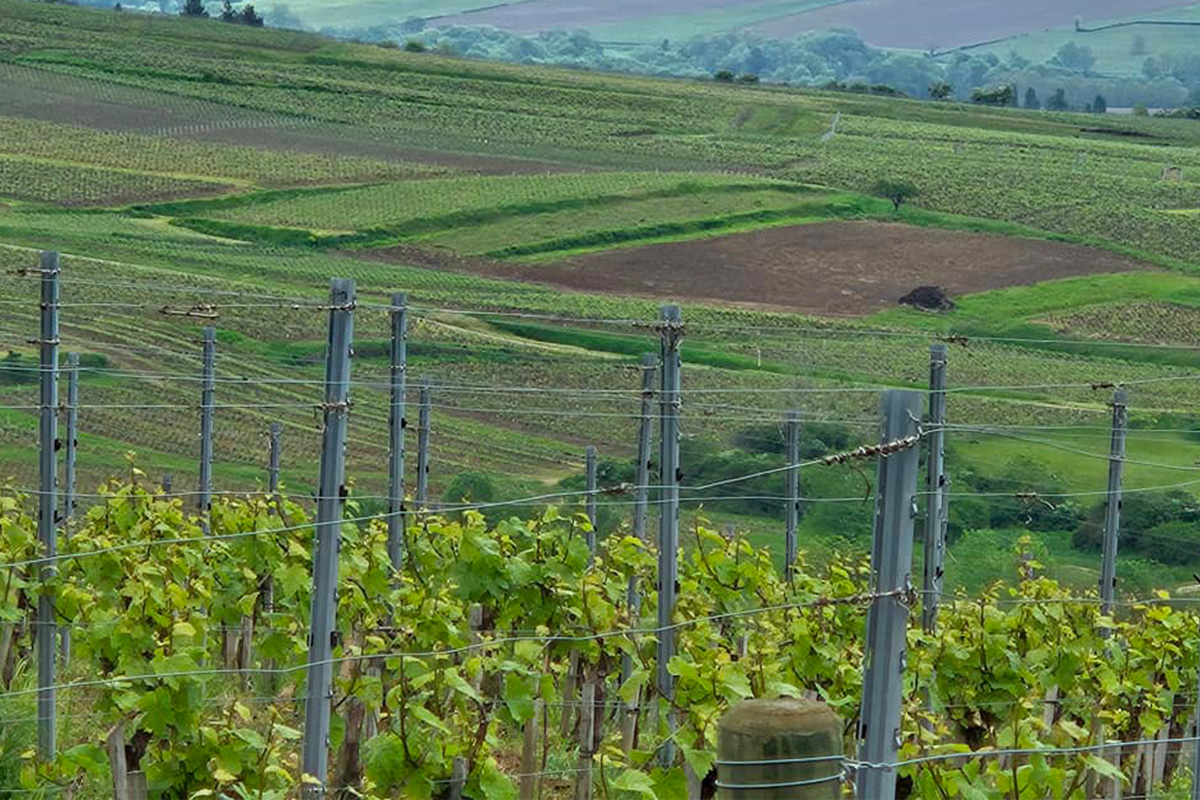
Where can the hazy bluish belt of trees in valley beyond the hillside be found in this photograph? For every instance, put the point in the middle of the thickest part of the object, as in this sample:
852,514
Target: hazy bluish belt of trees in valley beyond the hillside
818,59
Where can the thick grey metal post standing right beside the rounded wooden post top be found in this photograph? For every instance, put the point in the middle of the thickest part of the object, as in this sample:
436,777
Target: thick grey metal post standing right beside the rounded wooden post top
879,731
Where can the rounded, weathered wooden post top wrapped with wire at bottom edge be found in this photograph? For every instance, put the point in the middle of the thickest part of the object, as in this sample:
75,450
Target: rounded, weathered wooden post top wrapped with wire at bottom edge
787,748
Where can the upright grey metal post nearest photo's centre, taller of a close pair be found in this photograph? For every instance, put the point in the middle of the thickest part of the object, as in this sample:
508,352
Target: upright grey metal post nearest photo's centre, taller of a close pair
669,527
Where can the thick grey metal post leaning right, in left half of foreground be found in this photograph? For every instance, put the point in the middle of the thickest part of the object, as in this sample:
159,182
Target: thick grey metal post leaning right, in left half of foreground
328,534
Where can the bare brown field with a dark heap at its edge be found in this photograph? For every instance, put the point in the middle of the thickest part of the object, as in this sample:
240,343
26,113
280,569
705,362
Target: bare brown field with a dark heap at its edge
833,268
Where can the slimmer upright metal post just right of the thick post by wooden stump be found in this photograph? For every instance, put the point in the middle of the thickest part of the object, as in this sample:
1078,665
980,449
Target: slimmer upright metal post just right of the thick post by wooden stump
937,486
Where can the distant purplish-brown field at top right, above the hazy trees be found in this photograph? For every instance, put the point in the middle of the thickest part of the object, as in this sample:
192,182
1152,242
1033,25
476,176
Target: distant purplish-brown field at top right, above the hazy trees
941,25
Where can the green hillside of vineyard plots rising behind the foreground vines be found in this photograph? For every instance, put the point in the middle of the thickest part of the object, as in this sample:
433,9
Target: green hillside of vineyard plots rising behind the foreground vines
190,170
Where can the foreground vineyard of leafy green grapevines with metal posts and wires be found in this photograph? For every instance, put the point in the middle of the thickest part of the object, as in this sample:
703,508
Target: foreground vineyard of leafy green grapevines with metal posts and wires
513,645
